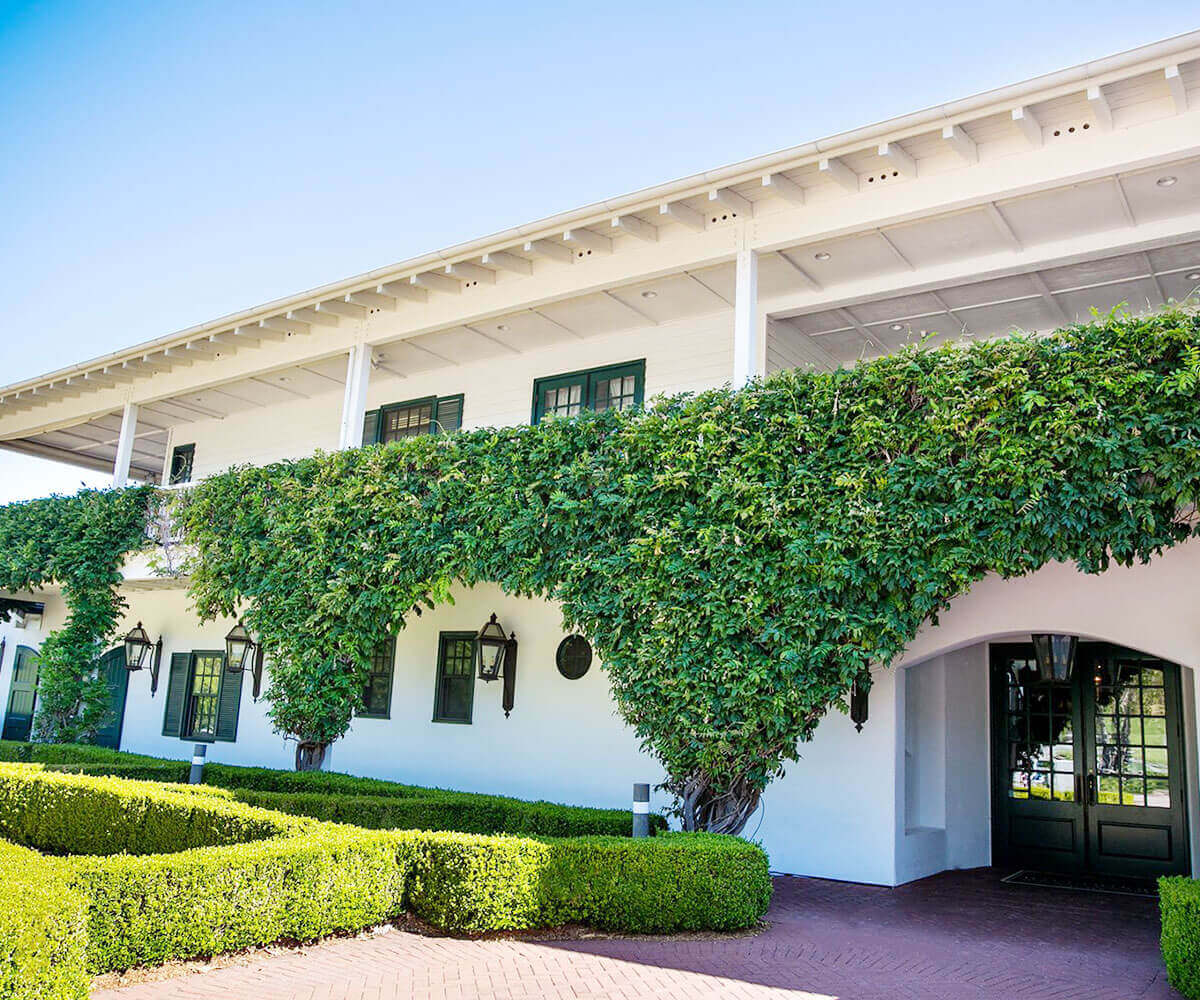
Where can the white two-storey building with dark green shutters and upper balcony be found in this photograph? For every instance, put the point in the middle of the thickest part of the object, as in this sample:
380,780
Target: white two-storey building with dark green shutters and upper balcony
1021,208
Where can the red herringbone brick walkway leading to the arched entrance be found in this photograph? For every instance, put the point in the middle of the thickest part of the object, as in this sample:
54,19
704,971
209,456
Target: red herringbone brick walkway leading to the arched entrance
961,936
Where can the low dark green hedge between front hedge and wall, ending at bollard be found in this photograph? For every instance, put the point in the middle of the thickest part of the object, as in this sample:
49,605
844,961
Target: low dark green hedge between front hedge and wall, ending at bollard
451,811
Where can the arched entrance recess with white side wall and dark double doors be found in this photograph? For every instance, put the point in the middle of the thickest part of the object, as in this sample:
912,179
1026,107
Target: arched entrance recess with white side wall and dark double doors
1003,765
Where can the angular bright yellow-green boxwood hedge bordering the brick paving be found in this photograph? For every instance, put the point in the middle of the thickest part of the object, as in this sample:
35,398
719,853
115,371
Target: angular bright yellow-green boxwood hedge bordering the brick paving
303,878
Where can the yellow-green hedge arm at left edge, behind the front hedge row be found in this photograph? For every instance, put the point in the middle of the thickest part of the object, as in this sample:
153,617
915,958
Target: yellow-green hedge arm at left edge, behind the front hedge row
82,816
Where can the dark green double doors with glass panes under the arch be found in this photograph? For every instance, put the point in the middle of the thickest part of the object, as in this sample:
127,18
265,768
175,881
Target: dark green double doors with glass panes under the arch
1089,773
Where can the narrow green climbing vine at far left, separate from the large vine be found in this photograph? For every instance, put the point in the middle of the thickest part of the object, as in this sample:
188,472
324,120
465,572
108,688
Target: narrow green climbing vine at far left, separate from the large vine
79,542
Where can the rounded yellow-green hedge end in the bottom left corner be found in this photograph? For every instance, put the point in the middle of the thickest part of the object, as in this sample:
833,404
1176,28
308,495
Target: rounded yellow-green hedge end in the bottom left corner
43,930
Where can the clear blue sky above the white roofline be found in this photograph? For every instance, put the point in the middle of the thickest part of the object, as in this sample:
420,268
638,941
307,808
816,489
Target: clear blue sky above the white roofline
165,164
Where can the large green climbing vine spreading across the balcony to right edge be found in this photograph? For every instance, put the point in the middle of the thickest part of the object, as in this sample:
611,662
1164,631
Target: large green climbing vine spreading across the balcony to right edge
739,559
